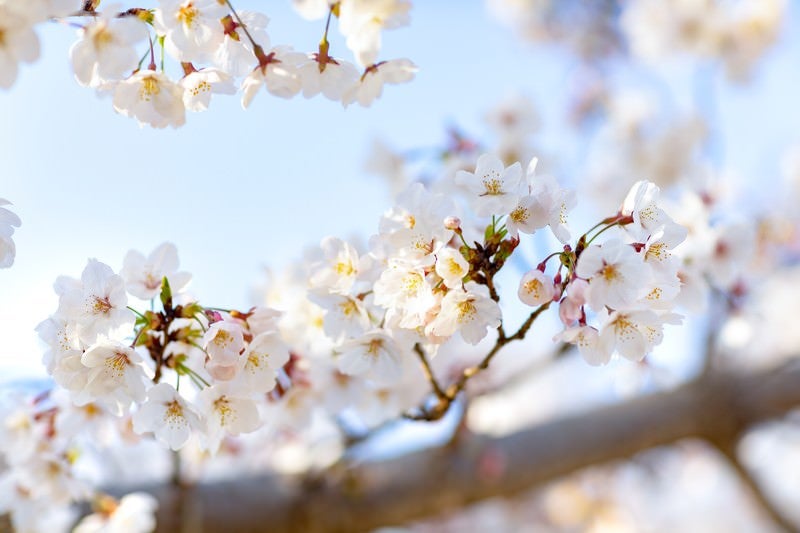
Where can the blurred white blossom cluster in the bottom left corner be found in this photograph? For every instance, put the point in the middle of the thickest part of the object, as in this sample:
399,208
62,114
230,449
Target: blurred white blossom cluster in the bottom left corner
43,441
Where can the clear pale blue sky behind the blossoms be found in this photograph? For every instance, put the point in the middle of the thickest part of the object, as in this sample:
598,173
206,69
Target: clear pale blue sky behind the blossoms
236,190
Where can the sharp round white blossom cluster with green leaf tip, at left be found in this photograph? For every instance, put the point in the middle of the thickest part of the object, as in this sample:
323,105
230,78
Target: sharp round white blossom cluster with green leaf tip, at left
105,352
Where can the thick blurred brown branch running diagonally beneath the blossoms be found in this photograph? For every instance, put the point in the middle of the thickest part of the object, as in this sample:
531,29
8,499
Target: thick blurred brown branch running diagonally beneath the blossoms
716,407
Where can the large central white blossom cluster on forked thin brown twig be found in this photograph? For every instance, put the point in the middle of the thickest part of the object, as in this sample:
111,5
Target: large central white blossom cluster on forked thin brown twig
425,284
